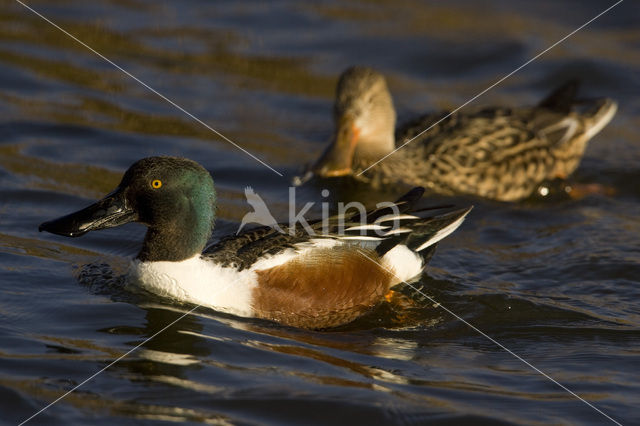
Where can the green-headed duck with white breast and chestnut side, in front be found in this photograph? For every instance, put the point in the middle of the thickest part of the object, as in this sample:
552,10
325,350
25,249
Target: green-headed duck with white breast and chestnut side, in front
293,277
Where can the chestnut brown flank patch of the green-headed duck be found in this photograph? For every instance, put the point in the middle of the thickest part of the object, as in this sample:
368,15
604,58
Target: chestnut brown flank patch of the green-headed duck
323,288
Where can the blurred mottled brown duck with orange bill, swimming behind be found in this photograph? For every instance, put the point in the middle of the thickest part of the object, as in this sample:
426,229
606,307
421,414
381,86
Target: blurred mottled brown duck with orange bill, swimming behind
497,153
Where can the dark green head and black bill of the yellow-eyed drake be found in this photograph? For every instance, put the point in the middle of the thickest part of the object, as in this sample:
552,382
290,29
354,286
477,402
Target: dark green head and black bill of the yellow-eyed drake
173,197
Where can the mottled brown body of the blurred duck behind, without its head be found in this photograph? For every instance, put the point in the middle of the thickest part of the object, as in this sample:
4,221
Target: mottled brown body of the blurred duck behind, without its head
496,153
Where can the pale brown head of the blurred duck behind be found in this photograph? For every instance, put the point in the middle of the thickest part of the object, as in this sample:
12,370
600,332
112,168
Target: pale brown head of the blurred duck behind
365,121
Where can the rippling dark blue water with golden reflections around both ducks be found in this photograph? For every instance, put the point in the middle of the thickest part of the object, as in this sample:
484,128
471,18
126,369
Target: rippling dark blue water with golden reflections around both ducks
554,280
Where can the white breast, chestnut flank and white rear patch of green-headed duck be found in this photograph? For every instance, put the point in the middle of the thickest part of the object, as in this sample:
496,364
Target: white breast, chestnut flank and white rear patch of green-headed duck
323,285
